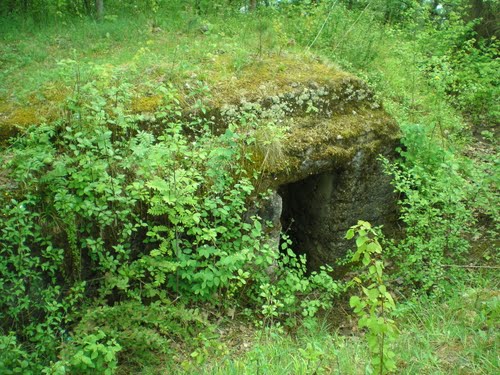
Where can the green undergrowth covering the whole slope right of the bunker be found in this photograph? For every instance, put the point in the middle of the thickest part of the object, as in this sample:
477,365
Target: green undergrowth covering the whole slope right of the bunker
447,175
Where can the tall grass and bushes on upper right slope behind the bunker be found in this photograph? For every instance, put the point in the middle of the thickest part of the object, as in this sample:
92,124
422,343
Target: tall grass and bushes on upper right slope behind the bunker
441,46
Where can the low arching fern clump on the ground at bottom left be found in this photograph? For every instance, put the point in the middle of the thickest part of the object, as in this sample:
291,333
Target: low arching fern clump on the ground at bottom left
133,335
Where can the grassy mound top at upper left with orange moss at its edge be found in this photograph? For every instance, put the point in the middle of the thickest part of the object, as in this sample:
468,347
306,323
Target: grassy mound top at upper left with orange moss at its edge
42,66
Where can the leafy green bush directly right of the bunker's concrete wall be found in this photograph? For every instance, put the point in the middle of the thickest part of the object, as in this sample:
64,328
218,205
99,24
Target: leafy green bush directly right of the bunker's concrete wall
437,201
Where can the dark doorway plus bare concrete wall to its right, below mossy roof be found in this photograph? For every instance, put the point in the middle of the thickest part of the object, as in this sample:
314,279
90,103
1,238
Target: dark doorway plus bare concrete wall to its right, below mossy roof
317,211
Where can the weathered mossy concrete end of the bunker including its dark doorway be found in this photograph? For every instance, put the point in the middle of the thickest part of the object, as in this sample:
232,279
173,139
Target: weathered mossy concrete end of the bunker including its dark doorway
323,171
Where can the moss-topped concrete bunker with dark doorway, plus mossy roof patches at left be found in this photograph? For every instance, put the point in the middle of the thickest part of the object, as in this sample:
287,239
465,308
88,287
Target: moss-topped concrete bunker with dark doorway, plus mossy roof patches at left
327,176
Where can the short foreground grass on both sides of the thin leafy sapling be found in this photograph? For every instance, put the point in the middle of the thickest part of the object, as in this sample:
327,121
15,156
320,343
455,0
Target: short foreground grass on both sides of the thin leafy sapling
453,335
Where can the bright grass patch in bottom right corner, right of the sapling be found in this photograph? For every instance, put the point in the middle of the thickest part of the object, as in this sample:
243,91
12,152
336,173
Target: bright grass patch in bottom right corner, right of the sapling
439,335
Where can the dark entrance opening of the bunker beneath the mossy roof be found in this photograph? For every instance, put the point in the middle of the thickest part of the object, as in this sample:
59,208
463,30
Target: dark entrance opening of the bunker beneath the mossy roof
318,210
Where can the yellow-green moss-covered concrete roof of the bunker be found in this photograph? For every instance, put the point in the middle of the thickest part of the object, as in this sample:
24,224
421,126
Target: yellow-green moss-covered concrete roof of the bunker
322,103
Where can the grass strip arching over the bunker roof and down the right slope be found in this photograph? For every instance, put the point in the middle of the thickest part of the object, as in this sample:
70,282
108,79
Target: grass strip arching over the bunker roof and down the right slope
184,46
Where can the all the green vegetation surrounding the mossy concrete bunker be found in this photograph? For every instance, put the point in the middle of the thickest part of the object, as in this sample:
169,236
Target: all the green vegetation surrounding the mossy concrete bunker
126,245
